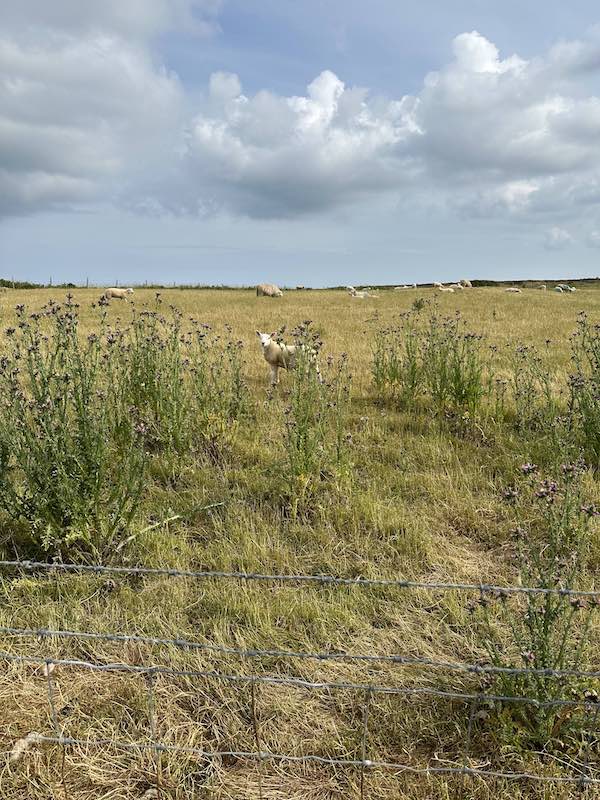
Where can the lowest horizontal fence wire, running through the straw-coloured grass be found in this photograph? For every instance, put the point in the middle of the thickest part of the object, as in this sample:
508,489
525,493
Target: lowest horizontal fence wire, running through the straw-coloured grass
324,760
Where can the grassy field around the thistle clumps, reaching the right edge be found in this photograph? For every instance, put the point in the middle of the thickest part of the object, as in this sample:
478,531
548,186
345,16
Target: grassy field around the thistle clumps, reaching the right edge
419,494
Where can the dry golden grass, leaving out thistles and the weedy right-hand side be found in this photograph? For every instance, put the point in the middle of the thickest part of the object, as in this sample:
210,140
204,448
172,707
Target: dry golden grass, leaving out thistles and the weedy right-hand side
423,504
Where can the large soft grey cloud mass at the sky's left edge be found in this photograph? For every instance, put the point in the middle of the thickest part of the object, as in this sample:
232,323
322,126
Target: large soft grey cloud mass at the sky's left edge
80,117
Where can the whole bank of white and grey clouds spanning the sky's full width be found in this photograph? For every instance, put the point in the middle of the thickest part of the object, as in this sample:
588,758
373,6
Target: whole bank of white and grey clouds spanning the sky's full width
86,113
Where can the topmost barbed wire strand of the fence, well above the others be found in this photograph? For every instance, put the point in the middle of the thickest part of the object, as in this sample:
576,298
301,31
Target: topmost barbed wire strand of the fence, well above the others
484,588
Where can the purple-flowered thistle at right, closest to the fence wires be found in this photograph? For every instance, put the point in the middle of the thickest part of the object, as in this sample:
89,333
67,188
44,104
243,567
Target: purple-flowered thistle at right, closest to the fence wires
546,631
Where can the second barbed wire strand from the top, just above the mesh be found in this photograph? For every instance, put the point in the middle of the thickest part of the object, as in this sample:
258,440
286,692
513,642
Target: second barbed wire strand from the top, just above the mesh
186,644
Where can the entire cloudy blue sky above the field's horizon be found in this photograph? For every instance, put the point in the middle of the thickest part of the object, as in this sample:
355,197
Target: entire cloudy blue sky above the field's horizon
317,142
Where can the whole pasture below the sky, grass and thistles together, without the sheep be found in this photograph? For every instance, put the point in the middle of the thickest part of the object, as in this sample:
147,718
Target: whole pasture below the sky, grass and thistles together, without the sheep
381,473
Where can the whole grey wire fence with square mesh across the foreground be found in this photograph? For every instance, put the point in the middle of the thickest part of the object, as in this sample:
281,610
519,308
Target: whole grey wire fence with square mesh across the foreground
582,772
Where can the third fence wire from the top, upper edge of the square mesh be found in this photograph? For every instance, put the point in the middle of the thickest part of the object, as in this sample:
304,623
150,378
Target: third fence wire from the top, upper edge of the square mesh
302,683
